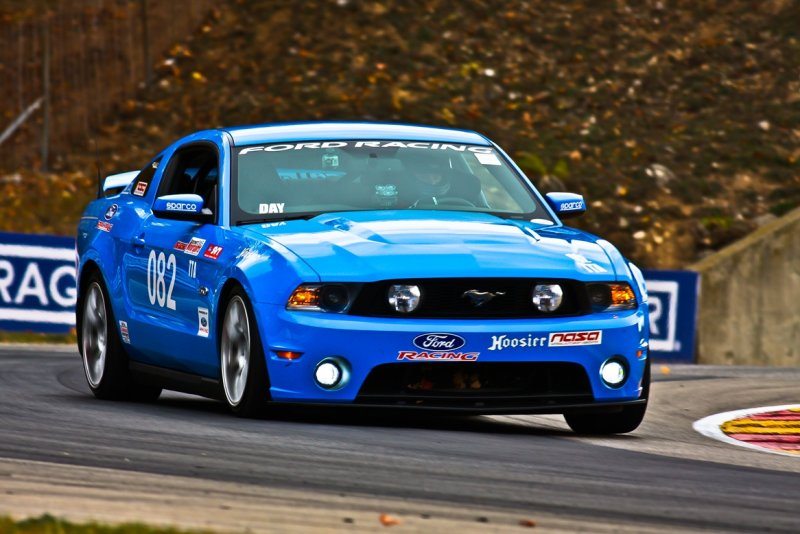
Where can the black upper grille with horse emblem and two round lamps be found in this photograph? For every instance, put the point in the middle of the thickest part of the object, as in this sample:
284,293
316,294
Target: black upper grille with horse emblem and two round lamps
445,298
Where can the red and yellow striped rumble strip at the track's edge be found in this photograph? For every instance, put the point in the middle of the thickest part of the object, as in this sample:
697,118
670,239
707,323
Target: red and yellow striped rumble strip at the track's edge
777,430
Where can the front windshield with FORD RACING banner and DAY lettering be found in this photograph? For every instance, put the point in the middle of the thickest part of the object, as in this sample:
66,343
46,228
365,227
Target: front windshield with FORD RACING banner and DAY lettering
277,181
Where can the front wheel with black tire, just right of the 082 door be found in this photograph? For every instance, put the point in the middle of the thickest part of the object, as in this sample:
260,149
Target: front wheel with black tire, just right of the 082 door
243,368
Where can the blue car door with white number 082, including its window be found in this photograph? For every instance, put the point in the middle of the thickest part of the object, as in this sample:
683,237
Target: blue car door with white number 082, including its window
173,310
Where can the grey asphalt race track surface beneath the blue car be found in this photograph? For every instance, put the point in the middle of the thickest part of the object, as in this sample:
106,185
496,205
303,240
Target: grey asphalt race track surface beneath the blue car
663,476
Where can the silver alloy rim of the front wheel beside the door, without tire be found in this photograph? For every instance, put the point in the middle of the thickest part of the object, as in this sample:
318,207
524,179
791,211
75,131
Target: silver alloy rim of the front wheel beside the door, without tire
235,350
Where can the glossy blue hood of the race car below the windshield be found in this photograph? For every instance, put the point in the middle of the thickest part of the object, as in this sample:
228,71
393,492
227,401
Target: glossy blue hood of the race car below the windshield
381,245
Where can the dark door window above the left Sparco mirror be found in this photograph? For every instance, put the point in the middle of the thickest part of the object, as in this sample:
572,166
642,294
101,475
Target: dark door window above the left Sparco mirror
194,169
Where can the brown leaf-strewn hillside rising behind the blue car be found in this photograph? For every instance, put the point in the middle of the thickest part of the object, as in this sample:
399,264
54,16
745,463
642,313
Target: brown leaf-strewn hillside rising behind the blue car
678,119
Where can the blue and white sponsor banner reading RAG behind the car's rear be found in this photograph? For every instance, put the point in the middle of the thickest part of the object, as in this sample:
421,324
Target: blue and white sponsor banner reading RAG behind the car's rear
37,283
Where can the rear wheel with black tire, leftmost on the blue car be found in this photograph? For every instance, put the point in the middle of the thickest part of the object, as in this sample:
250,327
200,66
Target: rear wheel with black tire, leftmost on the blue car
105,363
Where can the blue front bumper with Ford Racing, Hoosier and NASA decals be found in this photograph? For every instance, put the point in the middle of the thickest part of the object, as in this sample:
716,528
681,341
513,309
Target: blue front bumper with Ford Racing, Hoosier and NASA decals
365,343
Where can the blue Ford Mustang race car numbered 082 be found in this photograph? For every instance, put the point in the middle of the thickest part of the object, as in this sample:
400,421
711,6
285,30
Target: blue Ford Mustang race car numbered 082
360,264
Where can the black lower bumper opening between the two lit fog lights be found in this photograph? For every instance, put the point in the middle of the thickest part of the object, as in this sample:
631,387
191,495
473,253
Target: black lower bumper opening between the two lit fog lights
471,384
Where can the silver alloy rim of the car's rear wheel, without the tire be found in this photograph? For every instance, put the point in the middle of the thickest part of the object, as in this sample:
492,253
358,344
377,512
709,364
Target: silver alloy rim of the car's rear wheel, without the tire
94,335
